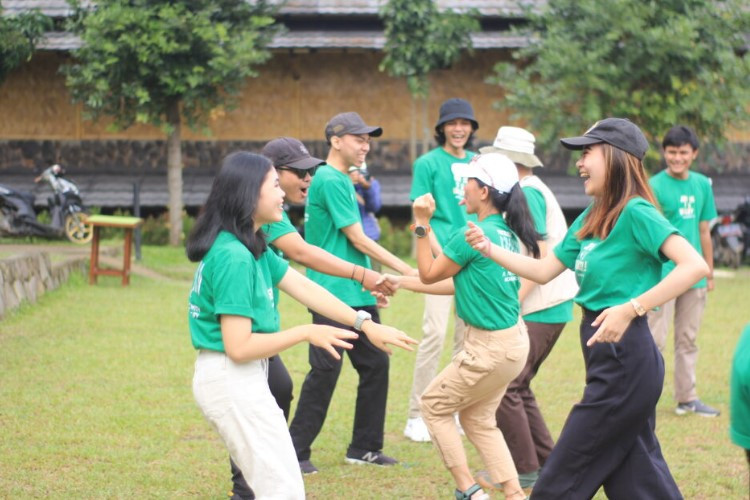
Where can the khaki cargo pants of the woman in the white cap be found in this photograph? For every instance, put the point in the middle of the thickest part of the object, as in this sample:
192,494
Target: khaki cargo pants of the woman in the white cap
473,385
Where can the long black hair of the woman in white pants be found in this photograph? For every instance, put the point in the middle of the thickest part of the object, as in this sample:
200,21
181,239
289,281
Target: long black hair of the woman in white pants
231,205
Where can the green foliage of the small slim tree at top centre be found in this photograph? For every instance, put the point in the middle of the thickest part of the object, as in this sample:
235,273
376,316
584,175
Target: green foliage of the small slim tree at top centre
420,39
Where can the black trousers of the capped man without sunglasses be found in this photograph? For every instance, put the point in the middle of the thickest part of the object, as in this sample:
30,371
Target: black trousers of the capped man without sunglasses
372,392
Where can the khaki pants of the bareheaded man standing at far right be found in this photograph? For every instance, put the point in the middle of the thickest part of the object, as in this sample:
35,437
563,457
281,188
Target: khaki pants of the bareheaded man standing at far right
687,311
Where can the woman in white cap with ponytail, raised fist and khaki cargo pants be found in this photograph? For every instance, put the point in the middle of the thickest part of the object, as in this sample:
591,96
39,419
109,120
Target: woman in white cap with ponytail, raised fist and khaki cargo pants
495,343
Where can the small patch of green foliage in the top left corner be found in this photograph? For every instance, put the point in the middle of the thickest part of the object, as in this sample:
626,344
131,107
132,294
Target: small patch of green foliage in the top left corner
19,36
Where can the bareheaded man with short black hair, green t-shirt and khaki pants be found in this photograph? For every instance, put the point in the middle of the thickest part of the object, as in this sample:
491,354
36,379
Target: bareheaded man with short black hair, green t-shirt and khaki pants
687,201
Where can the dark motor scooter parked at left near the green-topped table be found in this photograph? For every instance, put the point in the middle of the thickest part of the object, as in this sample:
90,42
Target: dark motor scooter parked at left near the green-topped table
68,215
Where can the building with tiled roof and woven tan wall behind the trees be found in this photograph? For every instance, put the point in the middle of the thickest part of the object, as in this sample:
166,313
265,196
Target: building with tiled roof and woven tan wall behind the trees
325,62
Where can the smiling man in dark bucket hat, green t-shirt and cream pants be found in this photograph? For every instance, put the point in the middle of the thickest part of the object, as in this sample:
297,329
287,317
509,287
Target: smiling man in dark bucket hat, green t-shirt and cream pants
454,130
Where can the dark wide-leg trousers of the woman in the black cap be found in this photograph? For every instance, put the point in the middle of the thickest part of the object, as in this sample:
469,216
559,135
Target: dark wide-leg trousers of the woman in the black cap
608,439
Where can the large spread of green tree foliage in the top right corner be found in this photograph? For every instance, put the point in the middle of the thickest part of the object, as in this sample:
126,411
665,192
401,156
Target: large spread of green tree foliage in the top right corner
656,62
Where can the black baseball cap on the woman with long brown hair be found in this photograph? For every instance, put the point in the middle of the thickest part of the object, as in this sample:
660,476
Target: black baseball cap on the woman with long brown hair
618,132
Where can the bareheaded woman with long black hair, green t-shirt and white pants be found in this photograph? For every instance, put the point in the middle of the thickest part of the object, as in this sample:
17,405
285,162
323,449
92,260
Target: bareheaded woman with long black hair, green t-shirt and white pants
231,314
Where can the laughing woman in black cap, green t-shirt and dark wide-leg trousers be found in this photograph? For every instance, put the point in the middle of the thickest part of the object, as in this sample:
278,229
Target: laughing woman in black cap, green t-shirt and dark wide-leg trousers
616,247
